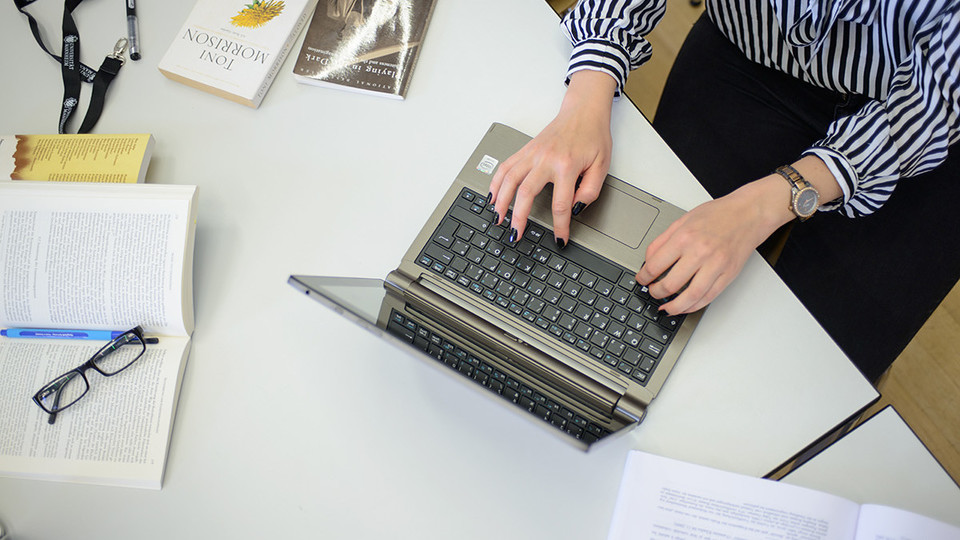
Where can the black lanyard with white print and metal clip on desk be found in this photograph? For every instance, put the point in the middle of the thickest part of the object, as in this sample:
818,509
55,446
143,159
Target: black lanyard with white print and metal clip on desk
75,72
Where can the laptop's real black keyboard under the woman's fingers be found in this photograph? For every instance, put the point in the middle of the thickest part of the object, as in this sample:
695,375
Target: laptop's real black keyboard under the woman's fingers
571,295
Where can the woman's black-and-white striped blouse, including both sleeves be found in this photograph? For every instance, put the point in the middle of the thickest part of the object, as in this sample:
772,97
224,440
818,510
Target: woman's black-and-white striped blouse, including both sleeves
903,54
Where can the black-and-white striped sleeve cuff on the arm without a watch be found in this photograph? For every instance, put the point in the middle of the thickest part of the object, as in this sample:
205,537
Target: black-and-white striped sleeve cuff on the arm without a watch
608,35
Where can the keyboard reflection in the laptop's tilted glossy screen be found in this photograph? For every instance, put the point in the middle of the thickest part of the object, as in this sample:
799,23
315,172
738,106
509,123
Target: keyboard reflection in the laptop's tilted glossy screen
494,379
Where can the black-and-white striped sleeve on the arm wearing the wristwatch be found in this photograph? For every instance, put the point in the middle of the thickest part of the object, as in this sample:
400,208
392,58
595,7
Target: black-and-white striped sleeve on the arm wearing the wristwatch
906,133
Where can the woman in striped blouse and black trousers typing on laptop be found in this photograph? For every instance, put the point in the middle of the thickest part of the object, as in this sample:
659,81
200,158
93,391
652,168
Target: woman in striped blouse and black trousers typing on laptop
857,99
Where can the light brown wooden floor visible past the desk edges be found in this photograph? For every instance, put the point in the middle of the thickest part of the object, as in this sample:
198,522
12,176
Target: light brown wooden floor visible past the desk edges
924,383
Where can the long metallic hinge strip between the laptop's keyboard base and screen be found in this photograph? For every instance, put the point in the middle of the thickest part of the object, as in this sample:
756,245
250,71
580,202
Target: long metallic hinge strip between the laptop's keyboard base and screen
461,321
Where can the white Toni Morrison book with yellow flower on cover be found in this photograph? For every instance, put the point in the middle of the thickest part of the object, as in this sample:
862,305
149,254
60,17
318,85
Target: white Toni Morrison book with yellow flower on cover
232,48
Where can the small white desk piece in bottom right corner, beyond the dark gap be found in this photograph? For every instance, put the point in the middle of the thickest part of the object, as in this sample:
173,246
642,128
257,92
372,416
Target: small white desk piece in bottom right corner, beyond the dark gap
883,462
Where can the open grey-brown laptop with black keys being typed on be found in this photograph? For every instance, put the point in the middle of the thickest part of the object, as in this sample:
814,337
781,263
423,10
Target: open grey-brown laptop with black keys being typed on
564,336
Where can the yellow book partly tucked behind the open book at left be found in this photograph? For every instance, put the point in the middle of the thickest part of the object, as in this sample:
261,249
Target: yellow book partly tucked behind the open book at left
76,157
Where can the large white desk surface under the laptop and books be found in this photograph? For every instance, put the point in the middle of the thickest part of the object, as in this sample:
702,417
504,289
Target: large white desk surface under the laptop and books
292,421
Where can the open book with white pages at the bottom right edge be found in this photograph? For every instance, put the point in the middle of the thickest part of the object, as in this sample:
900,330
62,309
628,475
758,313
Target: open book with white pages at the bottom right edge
665,498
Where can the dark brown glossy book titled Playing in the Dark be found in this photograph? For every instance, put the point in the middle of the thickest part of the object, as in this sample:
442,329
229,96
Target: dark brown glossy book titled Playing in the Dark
368,46
